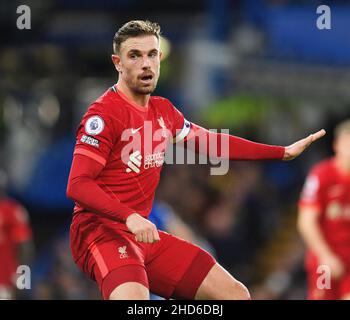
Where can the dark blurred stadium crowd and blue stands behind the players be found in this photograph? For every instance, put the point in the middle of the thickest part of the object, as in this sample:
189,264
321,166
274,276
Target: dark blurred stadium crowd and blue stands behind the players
260,68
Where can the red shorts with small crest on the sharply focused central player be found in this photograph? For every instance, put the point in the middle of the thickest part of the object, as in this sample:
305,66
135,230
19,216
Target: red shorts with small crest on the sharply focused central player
170,268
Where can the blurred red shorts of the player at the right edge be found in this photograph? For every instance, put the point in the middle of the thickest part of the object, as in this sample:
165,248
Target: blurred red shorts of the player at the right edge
317,290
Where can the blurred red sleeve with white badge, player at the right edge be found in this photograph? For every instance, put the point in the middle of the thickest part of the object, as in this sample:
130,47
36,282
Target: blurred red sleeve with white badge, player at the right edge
311,193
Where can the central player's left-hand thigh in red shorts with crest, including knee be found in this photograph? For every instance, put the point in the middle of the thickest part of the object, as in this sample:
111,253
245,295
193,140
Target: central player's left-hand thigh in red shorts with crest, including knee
116,262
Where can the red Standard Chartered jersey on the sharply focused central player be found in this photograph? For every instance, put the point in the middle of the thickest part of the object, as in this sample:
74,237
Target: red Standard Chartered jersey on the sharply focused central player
130,142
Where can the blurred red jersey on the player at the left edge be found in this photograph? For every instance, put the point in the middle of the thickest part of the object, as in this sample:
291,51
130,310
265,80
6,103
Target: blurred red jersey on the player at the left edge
14,228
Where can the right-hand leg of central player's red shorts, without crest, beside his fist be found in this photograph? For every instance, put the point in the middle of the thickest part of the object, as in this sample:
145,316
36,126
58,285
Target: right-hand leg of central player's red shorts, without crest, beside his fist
176,267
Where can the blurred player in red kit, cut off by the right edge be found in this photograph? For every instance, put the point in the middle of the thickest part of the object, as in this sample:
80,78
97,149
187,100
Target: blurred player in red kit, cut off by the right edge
324,221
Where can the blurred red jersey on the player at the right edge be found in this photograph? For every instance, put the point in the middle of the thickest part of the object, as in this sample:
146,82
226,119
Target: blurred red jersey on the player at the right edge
329,190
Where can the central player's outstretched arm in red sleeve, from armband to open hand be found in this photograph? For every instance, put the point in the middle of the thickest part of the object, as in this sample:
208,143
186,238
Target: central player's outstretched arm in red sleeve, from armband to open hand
235,148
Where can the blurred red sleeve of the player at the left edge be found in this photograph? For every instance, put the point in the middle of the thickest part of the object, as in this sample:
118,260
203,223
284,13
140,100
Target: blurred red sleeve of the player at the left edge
19,224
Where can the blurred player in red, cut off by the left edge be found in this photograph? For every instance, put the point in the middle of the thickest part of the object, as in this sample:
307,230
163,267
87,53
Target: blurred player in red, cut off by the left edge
15,241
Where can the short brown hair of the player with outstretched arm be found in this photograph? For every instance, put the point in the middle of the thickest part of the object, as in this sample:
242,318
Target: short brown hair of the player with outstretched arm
132,29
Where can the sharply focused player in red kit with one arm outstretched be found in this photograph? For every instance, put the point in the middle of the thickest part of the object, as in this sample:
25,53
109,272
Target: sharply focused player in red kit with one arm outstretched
113,182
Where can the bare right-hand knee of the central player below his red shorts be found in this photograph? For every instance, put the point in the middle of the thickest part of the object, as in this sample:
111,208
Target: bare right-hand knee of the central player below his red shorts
220,285
